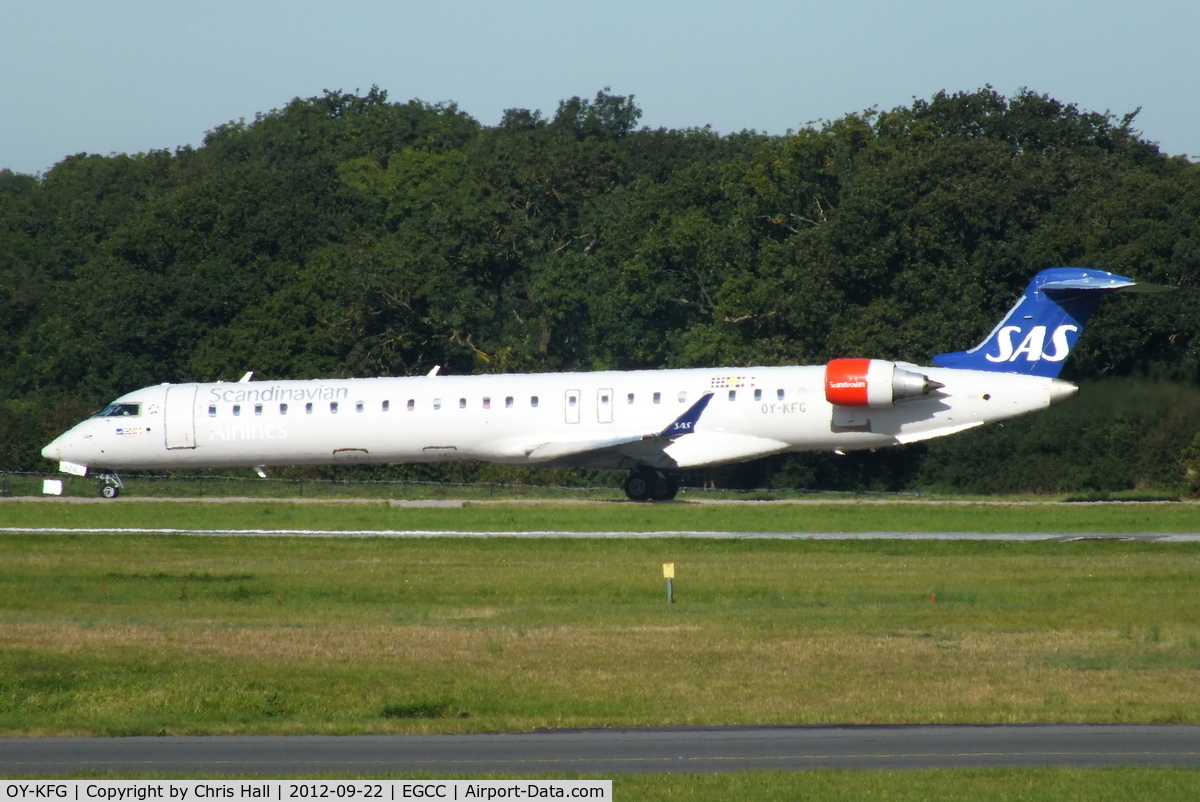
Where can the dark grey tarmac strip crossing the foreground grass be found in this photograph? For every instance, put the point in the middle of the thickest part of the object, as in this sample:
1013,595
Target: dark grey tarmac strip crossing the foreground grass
615,752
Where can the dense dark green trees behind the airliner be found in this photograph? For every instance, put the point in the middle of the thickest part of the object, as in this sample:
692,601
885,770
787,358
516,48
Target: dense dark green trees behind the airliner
351,236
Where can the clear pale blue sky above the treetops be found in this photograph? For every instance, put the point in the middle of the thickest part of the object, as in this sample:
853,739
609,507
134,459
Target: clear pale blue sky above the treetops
129,76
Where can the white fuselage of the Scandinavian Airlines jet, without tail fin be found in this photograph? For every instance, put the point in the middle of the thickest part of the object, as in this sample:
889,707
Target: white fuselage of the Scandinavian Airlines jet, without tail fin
547,420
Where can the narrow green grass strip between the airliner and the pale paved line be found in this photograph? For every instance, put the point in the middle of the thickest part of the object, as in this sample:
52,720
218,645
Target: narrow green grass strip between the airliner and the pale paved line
616,517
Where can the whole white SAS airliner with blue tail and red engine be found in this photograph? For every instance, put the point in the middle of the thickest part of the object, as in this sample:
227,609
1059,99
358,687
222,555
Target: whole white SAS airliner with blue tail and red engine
653,423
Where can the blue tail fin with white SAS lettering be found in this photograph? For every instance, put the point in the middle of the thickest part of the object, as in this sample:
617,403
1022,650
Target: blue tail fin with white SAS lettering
1039,333
